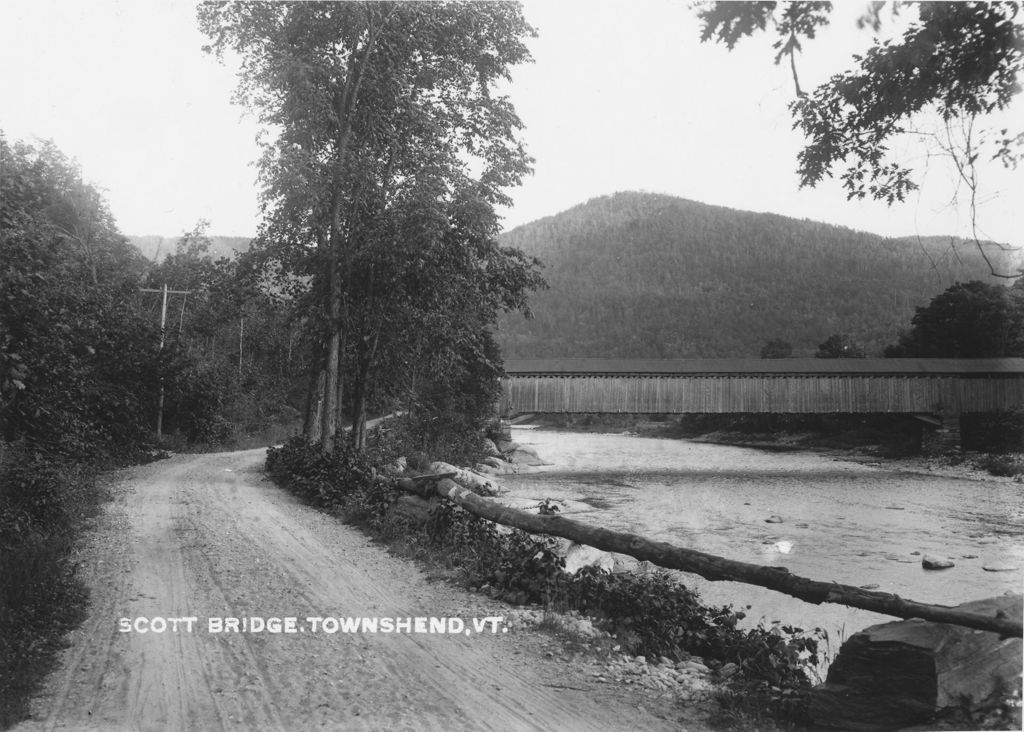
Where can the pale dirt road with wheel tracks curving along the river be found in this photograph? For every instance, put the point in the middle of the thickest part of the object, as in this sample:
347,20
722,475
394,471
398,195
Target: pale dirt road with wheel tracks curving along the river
208,537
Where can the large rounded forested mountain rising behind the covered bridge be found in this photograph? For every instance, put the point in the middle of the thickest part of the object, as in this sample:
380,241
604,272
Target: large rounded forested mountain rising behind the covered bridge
649,276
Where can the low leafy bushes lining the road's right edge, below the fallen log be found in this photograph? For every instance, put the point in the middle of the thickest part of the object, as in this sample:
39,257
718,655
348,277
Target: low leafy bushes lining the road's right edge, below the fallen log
650,613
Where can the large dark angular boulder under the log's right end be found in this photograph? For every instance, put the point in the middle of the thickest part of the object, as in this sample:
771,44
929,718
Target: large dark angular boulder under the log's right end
900,674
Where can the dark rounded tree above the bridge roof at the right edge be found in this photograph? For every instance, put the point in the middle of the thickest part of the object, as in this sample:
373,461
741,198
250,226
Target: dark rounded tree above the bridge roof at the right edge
968,321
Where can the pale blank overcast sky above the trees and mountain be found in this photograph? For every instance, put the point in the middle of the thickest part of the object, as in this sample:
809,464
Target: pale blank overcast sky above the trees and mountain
622,97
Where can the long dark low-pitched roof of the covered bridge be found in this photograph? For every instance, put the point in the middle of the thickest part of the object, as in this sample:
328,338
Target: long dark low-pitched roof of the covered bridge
907,367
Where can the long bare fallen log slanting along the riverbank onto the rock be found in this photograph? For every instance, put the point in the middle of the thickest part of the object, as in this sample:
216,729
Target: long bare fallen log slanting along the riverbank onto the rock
721,570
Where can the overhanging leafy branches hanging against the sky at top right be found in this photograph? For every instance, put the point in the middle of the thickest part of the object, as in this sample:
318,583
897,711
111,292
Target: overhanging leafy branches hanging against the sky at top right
960,61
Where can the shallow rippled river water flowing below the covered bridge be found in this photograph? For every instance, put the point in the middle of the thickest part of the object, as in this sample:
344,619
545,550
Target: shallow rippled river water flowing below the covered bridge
842,522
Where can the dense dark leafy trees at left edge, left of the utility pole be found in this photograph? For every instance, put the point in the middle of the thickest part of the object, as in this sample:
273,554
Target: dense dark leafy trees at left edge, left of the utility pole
78,362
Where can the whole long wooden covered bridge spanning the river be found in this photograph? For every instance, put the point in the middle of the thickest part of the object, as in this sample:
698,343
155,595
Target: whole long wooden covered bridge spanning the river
935,390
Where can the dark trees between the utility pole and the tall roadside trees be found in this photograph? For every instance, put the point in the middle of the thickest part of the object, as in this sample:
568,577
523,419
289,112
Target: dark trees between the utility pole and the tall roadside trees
232,339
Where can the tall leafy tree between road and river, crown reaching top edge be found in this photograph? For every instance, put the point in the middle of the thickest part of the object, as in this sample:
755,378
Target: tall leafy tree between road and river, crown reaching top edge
386,116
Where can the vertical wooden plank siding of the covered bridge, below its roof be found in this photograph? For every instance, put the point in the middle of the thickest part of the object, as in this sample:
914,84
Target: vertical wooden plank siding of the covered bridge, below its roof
779,395
